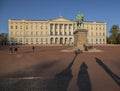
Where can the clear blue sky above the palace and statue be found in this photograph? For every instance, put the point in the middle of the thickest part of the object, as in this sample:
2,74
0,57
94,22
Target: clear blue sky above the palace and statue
94,10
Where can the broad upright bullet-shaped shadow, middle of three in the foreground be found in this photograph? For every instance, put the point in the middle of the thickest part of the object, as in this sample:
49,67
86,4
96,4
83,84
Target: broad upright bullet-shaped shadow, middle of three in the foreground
83,80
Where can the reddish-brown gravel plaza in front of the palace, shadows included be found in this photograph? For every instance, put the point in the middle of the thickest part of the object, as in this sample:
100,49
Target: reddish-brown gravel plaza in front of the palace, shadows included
50,69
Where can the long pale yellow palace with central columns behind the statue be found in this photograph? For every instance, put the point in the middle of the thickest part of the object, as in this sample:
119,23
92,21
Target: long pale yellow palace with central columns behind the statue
53,32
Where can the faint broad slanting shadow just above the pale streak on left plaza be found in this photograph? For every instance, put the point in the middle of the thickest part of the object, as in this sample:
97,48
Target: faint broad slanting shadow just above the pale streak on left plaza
34,71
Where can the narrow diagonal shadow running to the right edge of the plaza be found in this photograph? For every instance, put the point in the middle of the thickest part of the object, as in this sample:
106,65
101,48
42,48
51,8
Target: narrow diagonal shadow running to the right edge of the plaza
110,73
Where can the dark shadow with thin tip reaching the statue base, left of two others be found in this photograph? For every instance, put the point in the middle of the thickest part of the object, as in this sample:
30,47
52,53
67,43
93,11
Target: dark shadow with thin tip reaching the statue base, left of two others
61,80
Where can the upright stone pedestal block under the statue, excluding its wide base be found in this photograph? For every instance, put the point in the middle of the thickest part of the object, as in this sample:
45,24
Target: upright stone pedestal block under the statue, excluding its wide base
80,39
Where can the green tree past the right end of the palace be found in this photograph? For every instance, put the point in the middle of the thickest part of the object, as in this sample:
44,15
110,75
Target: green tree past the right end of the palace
114,31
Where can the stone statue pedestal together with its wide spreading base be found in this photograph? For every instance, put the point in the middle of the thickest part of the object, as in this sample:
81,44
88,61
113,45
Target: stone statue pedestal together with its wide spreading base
81,42
